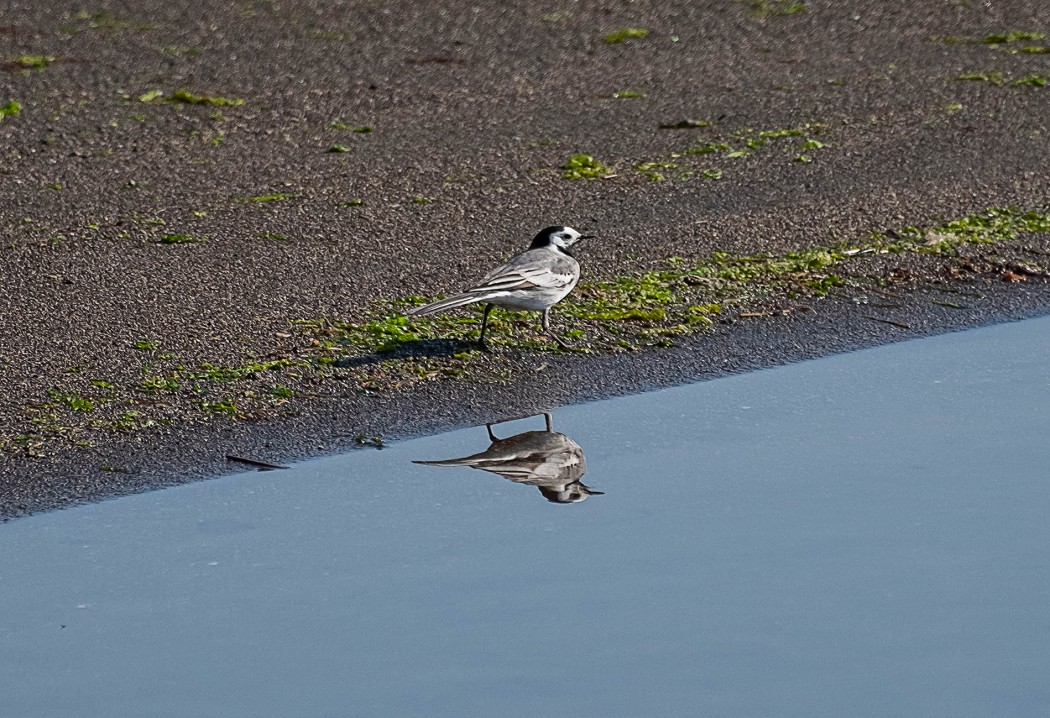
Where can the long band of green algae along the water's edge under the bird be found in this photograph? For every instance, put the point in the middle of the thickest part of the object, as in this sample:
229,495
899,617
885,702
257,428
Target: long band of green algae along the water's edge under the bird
650,309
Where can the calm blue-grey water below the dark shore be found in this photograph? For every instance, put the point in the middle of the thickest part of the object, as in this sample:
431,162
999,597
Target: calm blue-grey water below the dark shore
865,535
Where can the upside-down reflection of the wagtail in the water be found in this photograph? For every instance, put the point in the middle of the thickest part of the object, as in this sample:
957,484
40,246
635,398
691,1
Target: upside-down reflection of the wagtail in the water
549,460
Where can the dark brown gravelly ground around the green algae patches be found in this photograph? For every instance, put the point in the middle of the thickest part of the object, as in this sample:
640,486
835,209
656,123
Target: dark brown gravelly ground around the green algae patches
475,108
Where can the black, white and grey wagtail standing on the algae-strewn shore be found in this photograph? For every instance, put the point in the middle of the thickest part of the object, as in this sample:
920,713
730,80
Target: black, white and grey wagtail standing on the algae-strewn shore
534,281
